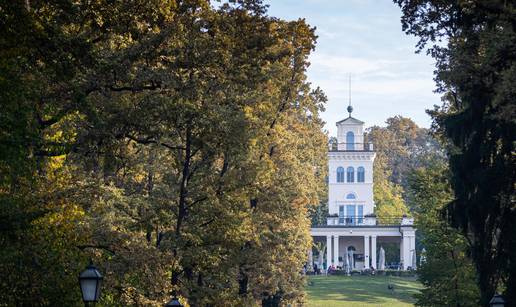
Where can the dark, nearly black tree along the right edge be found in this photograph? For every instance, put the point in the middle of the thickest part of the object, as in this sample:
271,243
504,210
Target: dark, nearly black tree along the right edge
473,44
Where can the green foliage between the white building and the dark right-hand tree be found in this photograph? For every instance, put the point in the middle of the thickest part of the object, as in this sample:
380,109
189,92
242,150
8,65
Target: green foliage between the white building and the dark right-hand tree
448,275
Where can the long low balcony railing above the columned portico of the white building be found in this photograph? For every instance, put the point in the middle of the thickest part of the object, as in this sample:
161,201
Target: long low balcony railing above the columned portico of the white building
369,221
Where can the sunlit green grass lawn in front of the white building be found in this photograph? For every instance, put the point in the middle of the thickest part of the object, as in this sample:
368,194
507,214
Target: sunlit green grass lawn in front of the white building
329,291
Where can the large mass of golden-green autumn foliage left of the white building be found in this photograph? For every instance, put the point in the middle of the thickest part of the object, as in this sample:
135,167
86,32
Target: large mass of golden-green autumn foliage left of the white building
177,144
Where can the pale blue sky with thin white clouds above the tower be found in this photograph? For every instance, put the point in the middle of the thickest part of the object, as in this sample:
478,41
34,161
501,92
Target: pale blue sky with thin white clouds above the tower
363,38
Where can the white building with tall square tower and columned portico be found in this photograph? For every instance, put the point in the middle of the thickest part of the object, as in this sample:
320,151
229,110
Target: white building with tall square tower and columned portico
352,231
